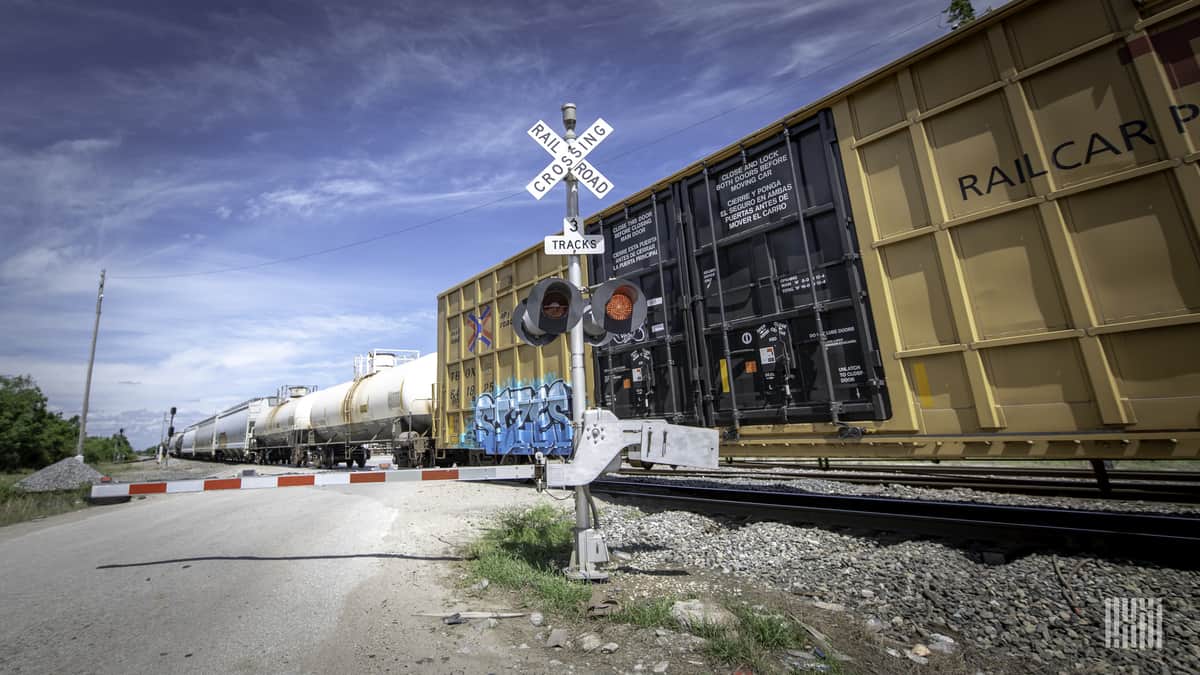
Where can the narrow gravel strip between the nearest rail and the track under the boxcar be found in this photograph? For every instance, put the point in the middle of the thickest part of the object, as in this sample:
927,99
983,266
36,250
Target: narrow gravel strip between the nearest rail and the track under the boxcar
910,493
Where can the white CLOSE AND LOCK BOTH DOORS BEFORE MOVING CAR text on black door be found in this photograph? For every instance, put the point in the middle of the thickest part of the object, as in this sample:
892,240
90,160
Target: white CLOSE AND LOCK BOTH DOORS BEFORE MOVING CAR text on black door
757,193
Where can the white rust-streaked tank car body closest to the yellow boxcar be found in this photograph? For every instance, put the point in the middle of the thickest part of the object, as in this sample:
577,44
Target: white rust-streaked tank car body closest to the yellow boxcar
381,407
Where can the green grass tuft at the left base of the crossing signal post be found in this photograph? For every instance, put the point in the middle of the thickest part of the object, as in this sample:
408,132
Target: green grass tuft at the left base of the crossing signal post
526,552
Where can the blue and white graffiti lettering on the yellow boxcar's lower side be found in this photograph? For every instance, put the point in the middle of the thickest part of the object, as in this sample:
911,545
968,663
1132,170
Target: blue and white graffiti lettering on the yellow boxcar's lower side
525,419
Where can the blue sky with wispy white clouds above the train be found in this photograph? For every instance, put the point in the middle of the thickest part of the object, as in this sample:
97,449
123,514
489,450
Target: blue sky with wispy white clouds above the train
171,141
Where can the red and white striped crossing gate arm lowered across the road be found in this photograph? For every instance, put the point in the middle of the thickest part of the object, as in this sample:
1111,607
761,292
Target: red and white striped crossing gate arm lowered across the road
315,480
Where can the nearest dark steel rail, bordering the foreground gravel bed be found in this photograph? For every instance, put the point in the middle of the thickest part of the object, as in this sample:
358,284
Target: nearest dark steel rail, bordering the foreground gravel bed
1141,536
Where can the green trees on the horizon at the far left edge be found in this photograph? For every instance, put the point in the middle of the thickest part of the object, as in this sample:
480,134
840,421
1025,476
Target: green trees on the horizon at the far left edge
32,437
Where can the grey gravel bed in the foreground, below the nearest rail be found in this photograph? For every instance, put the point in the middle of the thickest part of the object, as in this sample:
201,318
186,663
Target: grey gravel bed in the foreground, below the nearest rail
1039,613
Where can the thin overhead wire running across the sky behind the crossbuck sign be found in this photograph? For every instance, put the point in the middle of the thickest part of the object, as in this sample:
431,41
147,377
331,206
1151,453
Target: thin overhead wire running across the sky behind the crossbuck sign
633,151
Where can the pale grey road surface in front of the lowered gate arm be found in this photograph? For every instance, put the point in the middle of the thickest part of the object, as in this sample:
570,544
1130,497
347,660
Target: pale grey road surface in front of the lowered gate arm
287,581
